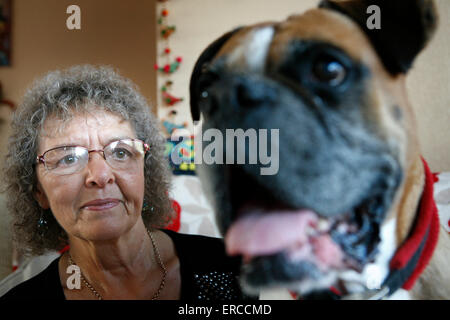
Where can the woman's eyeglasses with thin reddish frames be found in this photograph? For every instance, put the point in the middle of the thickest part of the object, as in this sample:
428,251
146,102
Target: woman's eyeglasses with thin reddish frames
123,154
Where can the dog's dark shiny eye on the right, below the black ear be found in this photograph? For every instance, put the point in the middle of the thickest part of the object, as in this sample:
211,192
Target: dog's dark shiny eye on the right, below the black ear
327,69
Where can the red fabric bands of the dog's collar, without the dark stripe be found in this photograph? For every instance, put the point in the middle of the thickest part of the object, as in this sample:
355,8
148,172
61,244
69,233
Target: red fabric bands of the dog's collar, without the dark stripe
427,219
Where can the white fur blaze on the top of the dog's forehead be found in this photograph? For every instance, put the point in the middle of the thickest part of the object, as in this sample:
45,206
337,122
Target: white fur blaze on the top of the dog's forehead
254,49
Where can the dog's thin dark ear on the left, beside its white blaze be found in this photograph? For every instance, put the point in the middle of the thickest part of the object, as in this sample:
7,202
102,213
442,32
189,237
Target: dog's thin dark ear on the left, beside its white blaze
206,56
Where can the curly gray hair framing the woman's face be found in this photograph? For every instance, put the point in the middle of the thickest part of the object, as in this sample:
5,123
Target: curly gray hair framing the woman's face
61,95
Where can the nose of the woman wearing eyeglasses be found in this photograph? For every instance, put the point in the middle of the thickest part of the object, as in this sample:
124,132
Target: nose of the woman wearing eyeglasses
99,172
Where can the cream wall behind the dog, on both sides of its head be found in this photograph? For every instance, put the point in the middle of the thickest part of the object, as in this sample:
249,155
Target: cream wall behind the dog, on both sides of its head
199,22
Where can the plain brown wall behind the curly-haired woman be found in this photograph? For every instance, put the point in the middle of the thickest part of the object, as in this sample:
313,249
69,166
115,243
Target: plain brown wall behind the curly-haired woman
113,32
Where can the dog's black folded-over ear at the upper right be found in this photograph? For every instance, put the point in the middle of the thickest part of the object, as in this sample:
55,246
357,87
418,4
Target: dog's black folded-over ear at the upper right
405,27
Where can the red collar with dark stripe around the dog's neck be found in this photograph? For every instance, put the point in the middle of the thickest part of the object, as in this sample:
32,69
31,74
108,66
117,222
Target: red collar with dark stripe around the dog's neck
414,254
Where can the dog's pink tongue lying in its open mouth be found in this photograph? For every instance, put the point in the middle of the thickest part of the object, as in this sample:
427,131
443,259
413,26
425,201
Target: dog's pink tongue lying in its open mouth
264,234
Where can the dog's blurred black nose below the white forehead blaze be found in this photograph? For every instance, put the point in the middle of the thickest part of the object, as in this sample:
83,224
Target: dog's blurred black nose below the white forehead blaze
251,93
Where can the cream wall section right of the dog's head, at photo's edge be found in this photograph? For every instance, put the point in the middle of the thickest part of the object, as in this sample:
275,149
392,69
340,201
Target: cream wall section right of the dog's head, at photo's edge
429,93
